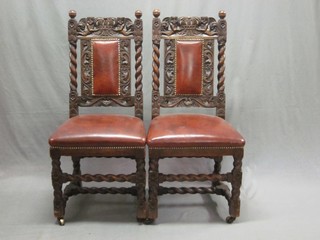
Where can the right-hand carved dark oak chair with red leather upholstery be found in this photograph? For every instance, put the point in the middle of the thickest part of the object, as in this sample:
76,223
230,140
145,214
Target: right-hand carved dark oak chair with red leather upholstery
188,81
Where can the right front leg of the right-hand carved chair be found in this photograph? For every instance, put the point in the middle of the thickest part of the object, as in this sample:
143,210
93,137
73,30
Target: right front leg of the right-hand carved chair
234,204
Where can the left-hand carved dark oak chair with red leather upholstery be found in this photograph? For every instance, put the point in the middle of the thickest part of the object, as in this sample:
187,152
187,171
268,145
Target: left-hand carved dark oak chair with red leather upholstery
106,77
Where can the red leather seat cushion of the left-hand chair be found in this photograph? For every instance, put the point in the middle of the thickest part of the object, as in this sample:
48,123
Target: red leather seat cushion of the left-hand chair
99,131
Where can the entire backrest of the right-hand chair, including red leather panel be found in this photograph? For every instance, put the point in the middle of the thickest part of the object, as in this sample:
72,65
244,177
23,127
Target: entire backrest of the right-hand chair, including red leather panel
189,45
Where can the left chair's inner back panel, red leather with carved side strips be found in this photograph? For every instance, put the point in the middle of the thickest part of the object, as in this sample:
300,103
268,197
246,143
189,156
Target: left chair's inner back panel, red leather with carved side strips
106,68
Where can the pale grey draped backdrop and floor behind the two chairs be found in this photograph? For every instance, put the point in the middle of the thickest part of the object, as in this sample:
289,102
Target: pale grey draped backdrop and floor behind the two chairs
273,88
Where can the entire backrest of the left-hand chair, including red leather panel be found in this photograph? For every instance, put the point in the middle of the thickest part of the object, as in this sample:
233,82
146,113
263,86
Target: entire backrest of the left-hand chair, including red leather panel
105,62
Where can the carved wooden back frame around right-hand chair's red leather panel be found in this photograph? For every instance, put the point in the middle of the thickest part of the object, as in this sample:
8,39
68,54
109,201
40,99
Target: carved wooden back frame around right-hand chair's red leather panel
181,28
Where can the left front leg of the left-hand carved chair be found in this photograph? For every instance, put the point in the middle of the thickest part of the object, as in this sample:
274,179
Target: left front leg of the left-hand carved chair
57,181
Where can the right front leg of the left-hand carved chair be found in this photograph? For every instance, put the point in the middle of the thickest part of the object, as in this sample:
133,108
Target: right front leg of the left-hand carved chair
141,194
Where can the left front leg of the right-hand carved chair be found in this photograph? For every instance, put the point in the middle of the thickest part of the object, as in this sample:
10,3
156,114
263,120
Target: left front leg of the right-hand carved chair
153,189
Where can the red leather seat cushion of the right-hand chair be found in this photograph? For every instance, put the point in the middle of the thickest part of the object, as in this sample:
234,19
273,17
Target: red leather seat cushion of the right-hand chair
192,130
